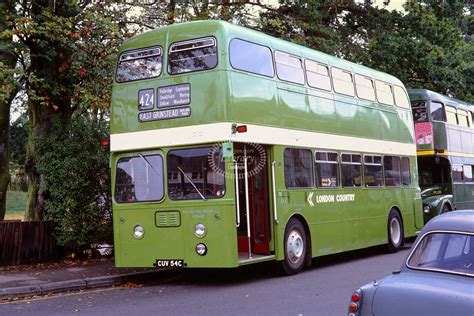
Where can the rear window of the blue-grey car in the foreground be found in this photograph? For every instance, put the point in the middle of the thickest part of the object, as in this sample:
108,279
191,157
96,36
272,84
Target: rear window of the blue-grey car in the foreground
451,252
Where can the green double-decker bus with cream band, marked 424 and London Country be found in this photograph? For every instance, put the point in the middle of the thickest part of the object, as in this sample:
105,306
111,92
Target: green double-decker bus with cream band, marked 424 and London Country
230,147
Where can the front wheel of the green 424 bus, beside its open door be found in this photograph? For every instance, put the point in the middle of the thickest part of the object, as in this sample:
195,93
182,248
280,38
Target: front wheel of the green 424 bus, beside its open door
295,247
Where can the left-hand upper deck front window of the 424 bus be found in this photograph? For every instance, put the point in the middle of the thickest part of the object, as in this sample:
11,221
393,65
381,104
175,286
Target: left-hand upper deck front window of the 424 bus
139,64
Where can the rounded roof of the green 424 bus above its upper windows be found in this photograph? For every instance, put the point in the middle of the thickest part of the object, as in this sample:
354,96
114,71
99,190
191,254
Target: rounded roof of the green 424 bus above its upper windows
233,30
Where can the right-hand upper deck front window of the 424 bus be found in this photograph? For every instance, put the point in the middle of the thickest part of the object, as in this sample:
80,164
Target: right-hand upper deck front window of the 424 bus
194,55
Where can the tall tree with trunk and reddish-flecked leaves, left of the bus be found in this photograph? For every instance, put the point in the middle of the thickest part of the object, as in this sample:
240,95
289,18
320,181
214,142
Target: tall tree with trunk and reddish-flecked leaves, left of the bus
63,47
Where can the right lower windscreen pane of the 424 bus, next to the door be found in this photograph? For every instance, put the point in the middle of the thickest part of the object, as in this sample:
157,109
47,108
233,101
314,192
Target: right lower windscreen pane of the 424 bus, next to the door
196,173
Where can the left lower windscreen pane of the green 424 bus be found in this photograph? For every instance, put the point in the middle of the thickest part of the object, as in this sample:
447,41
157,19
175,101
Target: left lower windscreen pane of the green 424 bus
139,179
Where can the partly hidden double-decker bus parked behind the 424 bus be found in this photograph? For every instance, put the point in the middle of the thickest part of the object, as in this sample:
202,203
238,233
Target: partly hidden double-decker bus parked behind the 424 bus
444,131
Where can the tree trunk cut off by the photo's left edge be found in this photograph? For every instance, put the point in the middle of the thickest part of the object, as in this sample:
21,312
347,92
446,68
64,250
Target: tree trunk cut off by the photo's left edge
8,86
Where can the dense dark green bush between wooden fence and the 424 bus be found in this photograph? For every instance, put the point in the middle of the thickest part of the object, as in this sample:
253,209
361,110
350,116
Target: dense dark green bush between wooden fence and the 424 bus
76,171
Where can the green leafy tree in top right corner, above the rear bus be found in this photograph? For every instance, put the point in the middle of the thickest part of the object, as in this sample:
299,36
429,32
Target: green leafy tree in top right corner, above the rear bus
426,47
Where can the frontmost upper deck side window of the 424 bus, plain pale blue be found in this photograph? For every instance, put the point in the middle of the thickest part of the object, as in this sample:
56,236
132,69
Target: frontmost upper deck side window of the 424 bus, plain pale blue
251,57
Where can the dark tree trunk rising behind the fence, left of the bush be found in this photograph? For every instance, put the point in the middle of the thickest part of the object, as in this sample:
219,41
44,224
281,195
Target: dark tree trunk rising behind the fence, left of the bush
43,105
